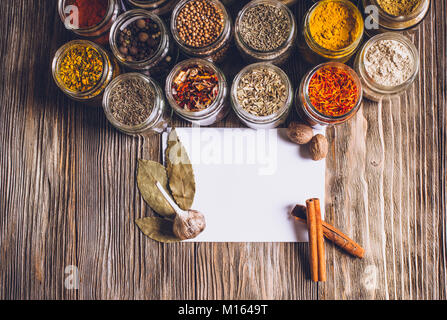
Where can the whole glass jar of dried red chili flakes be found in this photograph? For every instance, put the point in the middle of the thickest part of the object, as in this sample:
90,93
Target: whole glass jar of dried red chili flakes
197,91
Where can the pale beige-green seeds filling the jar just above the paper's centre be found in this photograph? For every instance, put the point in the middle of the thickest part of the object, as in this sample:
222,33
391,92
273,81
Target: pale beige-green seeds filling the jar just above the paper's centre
261,91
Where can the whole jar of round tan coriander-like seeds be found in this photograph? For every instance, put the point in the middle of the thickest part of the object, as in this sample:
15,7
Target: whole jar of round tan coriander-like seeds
202,29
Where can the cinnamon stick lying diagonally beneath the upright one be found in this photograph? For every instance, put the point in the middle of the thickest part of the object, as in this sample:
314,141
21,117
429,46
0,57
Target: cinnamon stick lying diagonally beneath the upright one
333,234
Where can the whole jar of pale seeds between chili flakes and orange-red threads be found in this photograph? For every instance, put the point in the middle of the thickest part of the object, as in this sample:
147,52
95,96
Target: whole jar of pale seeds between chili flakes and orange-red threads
261,96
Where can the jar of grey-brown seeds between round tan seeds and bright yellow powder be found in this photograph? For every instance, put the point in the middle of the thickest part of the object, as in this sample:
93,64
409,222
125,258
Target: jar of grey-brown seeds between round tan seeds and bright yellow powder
265,30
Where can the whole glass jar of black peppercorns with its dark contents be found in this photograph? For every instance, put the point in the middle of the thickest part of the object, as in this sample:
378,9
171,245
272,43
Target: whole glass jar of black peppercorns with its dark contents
140,41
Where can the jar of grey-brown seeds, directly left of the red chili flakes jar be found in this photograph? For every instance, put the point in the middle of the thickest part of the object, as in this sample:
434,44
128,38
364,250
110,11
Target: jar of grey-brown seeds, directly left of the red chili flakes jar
134,104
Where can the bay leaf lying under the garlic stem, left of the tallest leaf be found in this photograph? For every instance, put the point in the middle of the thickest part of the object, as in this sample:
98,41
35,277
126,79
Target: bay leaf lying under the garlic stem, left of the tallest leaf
149,172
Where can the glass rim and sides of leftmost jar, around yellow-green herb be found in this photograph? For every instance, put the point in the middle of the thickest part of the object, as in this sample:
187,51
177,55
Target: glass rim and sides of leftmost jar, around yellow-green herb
94,95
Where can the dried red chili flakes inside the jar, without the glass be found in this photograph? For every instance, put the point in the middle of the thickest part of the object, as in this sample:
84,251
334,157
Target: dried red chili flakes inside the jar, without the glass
195,88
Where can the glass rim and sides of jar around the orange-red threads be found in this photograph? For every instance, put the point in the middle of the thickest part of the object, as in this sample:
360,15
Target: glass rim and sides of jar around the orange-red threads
309,113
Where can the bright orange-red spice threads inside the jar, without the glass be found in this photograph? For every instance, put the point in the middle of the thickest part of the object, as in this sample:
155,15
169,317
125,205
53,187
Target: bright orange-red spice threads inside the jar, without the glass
332,91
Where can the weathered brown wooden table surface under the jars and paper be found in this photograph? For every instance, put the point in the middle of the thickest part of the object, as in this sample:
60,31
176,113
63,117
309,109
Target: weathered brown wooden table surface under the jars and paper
68,191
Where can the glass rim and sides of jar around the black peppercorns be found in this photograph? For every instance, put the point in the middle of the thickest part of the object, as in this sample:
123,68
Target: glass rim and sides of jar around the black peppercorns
164,57
